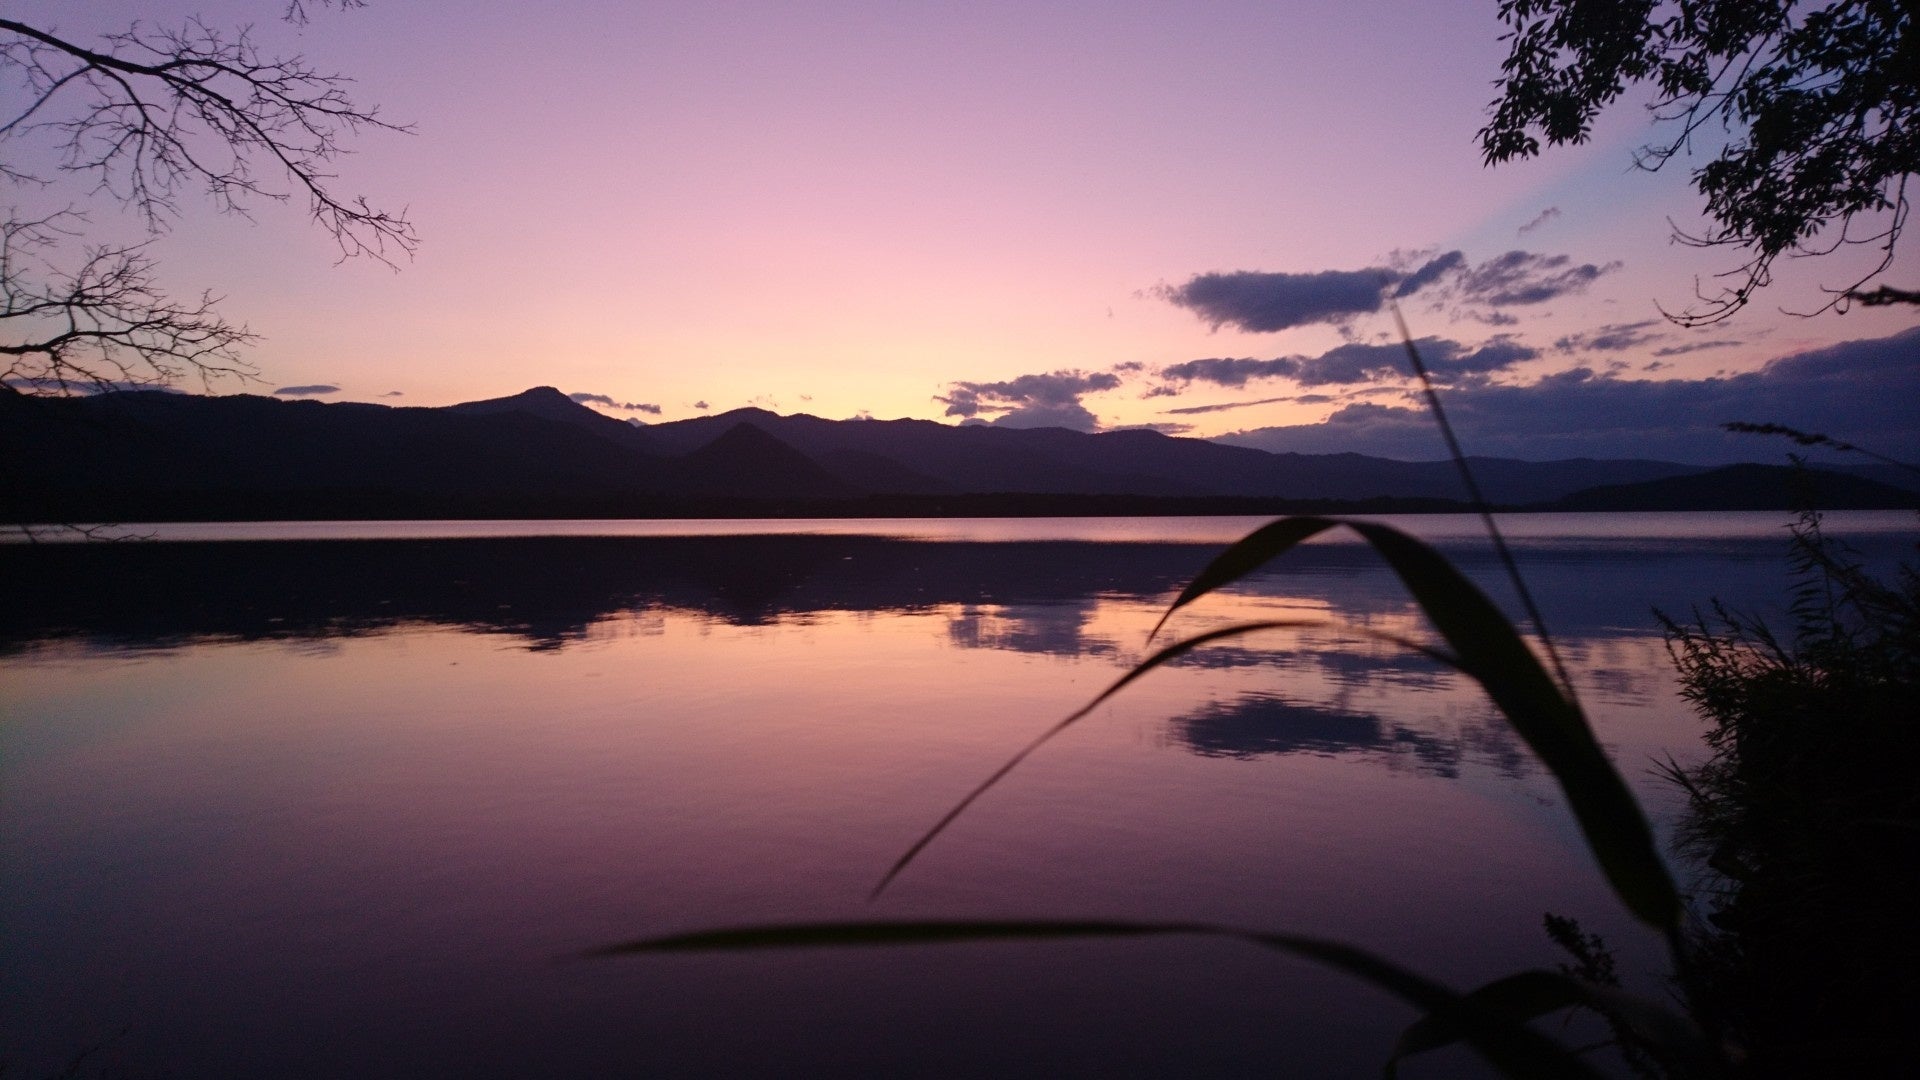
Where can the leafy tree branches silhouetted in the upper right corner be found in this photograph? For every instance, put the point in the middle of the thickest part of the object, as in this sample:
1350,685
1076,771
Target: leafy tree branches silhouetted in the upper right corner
1819,107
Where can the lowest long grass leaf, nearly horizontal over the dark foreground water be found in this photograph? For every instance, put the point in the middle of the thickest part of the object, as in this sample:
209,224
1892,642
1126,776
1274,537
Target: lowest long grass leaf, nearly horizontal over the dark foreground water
1506,1043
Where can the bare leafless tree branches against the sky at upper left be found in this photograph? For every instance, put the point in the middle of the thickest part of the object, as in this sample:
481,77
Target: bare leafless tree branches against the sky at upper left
147,118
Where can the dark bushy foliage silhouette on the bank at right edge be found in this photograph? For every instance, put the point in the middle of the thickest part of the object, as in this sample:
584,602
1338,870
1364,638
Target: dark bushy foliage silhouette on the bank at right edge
1808,816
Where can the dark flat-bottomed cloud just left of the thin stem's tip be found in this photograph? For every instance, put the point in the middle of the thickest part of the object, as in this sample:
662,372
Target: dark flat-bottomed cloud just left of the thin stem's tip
1264,303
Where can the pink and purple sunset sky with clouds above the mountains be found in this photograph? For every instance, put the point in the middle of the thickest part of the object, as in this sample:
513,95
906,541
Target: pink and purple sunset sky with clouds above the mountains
1095,216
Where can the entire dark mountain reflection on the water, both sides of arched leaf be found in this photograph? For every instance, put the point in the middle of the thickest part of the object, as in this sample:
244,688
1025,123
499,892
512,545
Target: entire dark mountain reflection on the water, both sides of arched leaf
550,591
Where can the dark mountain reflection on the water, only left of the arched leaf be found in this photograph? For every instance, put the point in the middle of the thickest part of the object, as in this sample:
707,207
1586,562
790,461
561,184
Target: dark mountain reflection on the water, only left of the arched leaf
550,591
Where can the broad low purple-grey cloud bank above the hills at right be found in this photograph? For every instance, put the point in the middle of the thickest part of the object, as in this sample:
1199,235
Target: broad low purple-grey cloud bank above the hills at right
1860,391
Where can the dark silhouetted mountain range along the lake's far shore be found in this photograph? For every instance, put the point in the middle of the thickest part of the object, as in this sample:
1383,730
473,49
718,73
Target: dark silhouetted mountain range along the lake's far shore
156,456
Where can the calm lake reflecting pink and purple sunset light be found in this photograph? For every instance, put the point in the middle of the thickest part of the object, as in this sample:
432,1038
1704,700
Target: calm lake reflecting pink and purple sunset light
354,798
